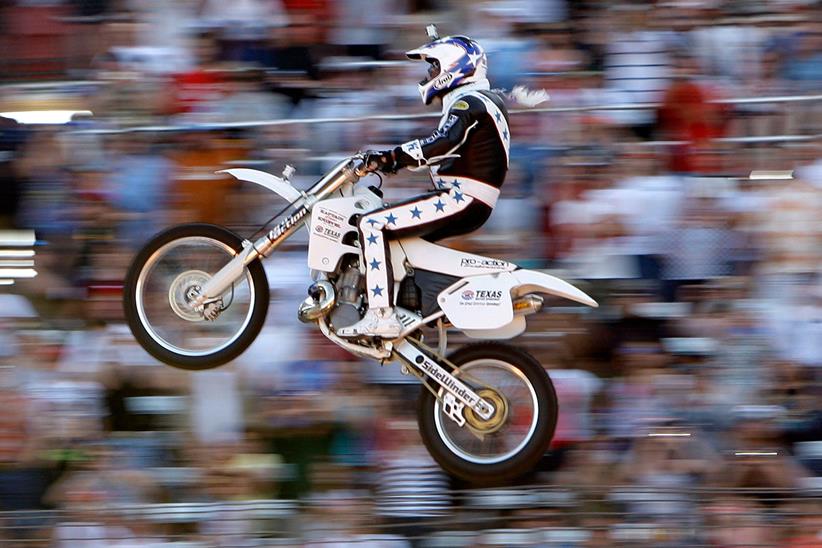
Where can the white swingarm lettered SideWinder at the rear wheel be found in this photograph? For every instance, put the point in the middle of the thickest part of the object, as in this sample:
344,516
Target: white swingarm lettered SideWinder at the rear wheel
457,393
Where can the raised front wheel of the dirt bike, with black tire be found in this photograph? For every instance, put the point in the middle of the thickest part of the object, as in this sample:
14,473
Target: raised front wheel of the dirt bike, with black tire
164,278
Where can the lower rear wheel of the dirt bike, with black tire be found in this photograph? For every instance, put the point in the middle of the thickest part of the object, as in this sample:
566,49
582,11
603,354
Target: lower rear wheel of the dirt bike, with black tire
509,443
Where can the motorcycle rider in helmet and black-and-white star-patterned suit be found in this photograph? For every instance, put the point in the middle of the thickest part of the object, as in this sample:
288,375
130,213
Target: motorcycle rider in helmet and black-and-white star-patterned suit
467,156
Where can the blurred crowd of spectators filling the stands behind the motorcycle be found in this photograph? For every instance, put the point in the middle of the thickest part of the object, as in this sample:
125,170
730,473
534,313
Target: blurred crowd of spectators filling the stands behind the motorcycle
689,401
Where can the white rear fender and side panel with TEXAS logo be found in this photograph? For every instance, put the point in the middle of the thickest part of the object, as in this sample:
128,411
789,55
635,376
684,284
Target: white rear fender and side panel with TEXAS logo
482,306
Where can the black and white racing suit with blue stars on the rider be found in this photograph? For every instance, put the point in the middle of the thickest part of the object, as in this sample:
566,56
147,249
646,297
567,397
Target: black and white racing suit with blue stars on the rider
468,159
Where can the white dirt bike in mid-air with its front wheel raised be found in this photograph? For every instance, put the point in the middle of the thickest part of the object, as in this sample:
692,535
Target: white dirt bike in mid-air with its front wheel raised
196,296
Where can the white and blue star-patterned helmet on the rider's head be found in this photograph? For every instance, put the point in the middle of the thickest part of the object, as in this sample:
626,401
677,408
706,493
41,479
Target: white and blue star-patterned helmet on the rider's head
455,61
